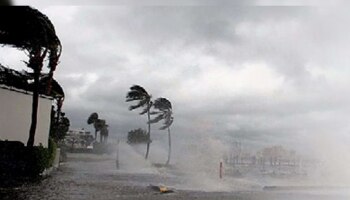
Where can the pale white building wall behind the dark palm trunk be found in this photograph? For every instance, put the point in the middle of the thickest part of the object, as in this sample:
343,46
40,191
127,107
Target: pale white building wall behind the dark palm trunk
15,117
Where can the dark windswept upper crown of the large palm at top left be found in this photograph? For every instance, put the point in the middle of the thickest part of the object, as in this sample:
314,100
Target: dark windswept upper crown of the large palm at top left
25,27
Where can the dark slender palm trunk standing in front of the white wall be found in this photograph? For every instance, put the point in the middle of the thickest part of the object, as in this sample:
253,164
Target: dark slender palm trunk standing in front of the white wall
35,103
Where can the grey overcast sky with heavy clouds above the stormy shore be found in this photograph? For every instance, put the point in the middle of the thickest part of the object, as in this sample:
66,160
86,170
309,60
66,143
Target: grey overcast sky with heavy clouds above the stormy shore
258,74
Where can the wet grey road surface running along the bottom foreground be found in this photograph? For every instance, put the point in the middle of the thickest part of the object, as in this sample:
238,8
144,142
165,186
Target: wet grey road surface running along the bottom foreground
93,177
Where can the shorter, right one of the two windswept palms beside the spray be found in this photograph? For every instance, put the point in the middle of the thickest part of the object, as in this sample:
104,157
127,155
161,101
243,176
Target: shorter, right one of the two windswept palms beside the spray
164,112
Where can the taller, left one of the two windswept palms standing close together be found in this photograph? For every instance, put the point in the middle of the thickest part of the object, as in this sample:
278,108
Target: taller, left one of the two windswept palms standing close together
138,93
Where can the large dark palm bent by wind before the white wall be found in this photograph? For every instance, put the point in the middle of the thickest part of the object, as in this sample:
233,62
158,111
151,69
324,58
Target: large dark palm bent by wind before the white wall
28,29
